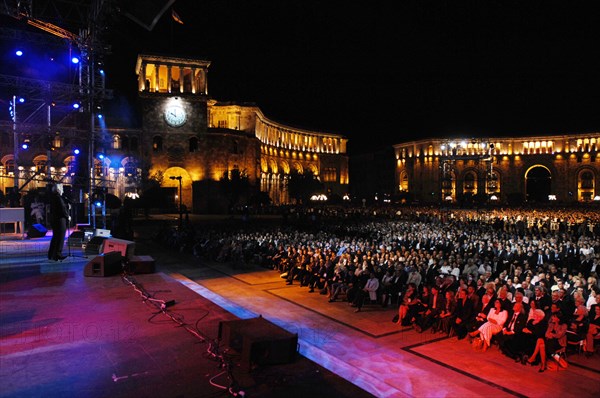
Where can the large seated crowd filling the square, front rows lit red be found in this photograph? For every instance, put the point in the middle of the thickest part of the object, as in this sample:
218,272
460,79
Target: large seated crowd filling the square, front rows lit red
526,280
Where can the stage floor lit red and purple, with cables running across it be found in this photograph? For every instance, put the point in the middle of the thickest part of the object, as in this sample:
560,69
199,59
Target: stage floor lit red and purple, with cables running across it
66,335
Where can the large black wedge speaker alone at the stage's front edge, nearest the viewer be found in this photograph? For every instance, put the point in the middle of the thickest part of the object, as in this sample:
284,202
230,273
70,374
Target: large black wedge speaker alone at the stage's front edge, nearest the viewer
259,341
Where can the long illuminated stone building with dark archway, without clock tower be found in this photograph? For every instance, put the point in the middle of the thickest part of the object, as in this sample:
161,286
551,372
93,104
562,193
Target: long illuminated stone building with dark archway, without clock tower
521,170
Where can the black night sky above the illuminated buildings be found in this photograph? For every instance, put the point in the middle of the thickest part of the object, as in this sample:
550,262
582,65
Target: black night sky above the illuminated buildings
384,72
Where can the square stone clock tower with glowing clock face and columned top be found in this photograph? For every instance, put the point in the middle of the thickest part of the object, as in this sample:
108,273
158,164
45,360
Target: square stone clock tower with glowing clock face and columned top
173,95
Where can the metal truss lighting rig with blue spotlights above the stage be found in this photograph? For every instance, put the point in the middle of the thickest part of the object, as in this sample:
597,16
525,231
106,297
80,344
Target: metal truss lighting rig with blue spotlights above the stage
90,90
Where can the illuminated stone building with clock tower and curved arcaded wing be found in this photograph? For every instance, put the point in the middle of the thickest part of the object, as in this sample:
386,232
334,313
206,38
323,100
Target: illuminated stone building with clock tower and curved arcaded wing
185,138
